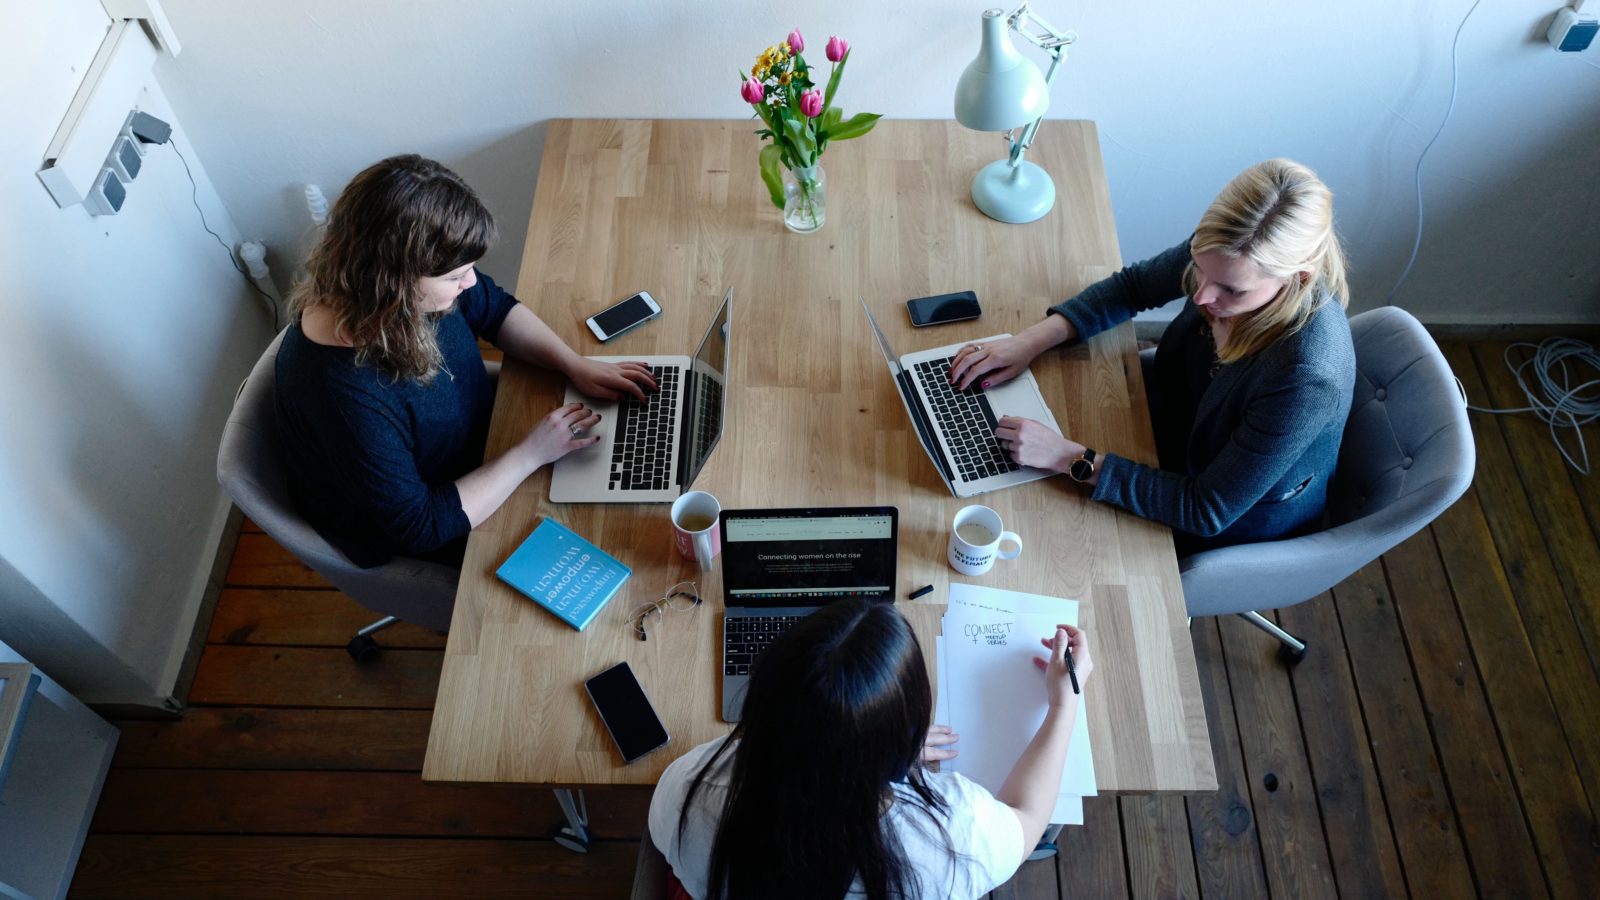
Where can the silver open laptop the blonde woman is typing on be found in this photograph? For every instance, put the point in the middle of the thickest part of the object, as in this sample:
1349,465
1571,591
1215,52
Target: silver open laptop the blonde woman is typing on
958,428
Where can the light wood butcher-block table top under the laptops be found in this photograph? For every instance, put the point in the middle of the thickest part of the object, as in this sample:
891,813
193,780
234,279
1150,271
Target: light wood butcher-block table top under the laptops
814,420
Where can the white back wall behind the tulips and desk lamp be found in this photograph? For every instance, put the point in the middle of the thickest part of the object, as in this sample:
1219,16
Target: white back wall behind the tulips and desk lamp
1185,94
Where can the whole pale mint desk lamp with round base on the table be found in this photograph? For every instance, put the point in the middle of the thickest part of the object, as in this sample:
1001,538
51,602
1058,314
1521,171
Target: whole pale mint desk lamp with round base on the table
1002,92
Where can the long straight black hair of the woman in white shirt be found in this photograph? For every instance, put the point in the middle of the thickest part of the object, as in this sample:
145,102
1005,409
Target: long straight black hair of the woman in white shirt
836,715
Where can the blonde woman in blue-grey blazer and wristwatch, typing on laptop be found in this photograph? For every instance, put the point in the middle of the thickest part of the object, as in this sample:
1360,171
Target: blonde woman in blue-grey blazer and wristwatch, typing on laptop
1252,382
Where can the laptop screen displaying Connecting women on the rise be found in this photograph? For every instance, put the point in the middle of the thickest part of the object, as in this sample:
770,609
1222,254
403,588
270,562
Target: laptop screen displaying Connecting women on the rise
782,558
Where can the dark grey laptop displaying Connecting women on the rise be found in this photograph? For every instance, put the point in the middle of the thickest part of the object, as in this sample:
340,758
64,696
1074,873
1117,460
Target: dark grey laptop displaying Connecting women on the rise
780,566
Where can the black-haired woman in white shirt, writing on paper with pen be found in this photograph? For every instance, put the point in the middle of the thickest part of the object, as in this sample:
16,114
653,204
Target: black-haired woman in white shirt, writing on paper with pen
822,790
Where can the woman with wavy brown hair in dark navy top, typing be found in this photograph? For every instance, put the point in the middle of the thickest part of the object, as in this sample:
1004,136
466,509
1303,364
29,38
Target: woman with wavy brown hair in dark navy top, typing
383,401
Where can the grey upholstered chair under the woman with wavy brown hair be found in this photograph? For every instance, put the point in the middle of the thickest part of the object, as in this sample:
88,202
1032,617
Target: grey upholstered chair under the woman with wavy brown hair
249,468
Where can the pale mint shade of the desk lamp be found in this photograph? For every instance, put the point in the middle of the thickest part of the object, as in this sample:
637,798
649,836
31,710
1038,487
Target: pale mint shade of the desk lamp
1001,89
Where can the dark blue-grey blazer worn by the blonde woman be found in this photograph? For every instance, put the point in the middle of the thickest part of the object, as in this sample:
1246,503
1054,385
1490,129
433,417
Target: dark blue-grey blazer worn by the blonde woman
1246,457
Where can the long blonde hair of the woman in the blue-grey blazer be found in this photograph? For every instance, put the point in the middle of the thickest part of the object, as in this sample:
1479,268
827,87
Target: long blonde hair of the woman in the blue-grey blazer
1279,215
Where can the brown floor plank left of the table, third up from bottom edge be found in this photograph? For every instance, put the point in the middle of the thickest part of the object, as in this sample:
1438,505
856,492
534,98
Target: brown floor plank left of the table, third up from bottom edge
258,737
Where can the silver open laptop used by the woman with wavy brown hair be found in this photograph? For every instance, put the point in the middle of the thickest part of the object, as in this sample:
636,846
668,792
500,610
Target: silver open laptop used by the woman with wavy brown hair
652,452
